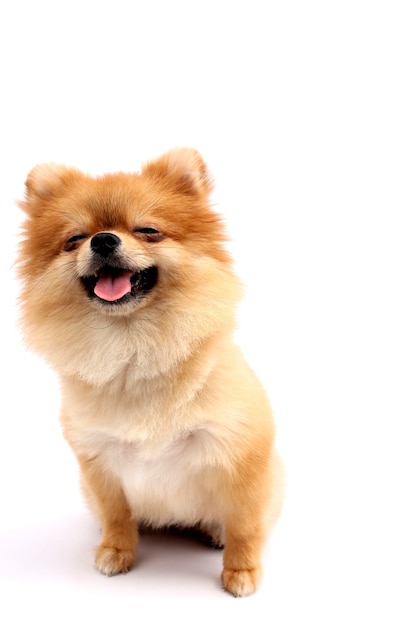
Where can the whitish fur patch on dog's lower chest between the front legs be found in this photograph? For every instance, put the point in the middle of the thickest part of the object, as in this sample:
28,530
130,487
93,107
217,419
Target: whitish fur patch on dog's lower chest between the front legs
168,481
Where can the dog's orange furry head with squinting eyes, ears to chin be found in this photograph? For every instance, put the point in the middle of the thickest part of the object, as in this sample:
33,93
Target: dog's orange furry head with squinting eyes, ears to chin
119,235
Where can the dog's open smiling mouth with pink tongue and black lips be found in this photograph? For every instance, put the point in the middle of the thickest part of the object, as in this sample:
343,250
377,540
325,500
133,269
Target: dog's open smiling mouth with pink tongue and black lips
116,285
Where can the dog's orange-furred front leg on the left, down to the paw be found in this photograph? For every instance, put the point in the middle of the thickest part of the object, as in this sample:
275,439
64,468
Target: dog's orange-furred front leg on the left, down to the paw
117,550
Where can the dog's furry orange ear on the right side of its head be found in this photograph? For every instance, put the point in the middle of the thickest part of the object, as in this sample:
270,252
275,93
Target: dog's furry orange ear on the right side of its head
183,168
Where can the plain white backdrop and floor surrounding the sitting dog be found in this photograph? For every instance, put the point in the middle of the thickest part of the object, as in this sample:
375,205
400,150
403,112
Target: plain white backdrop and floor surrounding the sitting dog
306,114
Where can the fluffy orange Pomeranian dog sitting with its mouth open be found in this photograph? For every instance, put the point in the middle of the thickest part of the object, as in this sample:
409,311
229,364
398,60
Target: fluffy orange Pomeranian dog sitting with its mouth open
129,293
